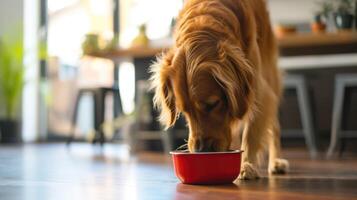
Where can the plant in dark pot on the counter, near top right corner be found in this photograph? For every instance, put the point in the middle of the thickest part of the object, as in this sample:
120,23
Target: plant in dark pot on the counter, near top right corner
344,14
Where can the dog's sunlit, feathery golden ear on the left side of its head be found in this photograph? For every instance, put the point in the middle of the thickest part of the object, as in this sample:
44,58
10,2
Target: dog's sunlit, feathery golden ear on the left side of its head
164,98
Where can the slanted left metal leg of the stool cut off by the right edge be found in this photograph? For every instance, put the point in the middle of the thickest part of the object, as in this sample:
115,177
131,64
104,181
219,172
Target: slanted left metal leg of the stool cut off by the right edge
336,117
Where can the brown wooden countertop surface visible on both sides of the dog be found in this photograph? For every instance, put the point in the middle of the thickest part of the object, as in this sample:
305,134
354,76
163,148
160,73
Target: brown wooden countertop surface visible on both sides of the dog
294,44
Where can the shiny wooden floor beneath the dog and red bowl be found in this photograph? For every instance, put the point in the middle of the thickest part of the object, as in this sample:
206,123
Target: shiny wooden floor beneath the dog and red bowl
52,171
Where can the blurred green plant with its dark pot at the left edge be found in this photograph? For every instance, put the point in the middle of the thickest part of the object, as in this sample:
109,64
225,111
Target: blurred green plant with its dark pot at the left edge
11,84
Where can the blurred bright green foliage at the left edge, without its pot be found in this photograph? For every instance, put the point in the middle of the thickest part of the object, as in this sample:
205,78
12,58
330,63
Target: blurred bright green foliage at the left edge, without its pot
11,73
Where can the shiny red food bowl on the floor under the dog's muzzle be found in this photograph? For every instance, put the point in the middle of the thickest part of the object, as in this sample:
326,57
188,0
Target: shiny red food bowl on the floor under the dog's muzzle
207,167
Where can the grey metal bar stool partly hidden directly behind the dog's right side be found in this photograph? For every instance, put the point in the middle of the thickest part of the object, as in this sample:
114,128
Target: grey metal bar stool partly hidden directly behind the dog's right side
298,83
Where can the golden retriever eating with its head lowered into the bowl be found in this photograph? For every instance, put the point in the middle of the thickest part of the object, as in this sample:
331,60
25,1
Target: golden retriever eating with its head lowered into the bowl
220,73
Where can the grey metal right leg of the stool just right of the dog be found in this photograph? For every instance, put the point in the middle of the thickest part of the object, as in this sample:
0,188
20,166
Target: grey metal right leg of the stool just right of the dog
306,117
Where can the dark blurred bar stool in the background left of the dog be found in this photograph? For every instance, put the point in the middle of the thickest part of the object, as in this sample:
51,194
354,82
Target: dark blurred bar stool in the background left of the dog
98,95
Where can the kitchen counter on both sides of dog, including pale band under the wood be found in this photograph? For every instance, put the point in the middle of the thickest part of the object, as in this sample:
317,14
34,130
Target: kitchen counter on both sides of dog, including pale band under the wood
297,51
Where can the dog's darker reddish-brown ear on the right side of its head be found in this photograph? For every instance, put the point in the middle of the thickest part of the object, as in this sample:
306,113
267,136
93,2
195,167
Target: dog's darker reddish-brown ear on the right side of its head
237,79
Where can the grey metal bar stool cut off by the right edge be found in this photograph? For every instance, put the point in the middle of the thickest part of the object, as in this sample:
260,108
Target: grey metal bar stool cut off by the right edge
342,81
